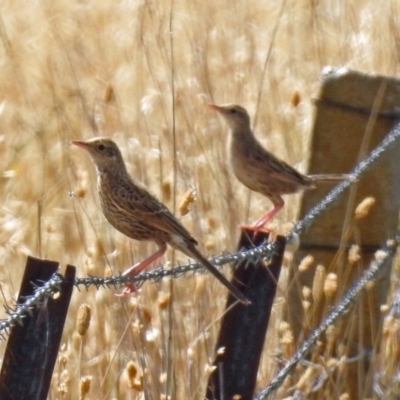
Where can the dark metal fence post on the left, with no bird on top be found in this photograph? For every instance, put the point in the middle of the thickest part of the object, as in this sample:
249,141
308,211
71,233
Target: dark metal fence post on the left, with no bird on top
32,347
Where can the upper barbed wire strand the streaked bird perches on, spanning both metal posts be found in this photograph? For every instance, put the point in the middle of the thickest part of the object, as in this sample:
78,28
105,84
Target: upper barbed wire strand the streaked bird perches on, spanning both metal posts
263,251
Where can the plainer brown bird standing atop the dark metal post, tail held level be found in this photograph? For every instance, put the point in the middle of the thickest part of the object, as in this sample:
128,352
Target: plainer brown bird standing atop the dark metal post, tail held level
260,170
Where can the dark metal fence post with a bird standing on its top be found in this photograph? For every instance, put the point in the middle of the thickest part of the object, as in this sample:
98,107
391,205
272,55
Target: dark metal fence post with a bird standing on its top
244,328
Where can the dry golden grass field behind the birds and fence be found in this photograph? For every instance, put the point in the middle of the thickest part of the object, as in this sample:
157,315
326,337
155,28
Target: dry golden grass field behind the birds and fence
142,72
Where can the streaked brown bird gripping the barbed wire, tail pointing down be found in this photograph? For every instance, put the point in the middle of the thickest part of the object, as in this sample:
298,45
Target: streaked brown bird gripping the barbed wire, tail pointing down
132,210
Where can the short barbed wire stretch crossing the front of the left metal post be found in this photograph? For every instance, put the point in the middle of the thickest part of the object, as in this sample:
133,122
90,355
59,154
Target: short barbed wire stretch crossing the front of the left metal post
20,311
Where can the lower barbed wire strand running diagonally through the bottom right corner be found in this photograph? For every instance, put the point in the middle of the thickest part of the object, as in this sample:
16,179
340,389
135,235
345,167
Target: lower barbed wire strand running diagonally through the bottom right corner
376,266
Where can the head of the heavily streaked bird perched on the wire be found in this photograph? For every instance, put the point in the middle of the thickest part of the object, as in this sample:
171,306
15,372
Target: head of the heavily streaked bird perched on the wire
104,153
